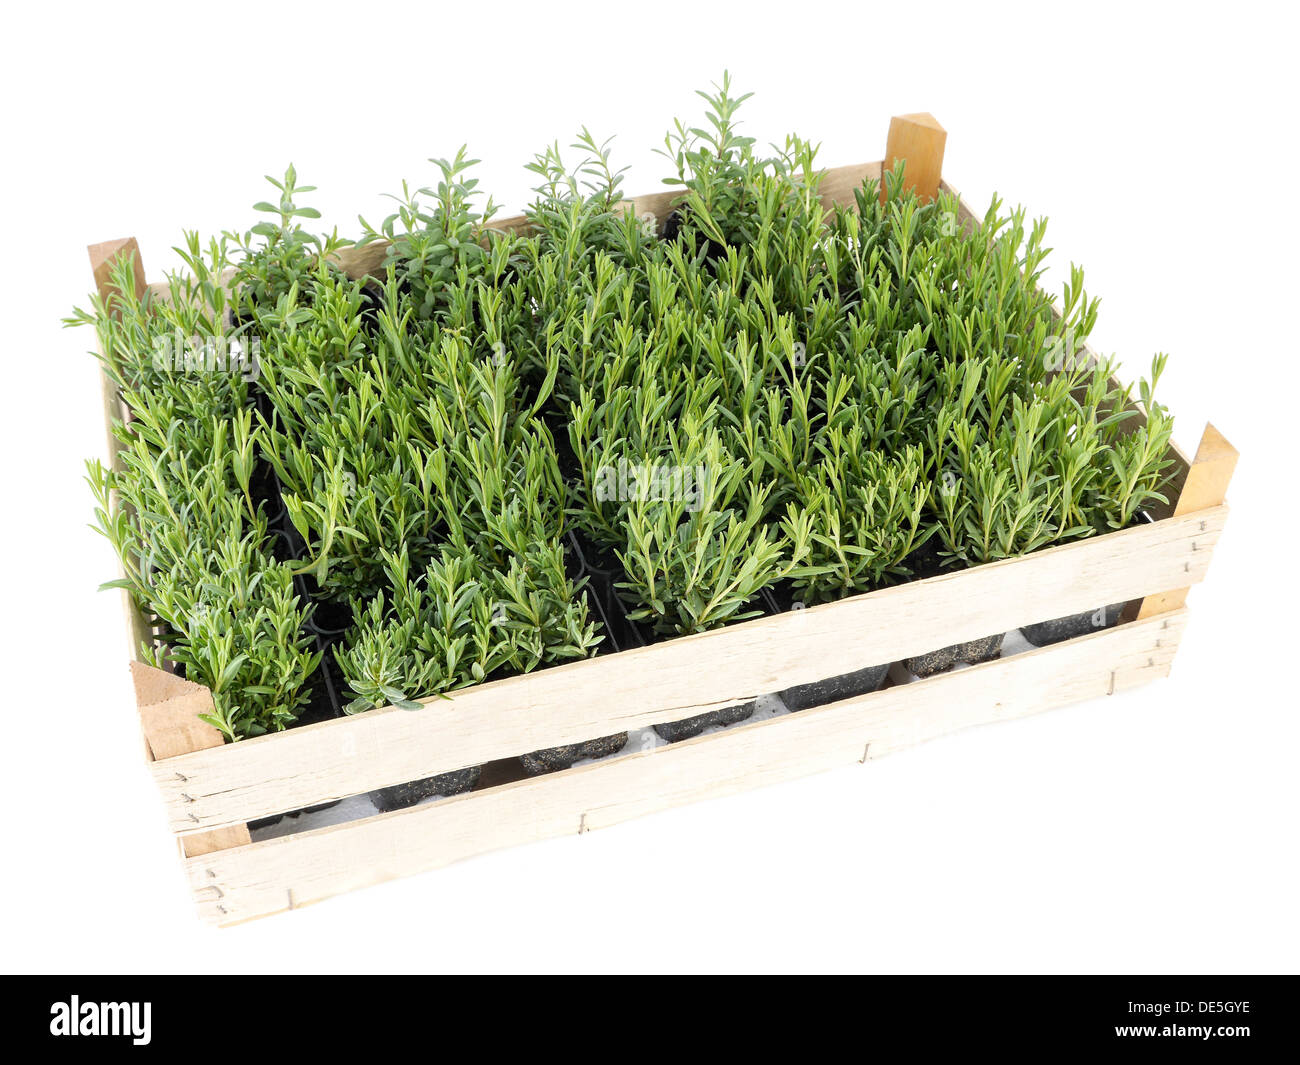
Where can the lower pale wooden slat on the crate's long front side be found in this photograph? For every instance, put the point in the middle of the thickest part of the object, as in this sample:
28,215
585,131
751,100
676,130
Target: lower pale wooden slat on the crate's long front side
280,874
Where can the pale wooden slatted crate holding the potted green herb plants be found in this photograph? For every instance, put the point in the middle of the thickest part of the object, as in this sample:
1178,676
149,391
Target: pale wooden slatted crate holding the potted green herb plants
214,790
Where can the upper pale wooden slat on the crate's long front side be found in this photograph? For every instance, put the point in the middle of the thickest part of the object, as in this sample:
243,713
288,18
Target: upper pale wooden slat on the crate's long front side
678,678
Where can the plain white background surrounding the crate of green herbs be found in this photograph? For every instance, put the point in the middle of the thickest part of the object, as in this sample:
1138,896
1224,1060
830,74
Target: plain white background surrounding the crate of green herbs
1151,832
